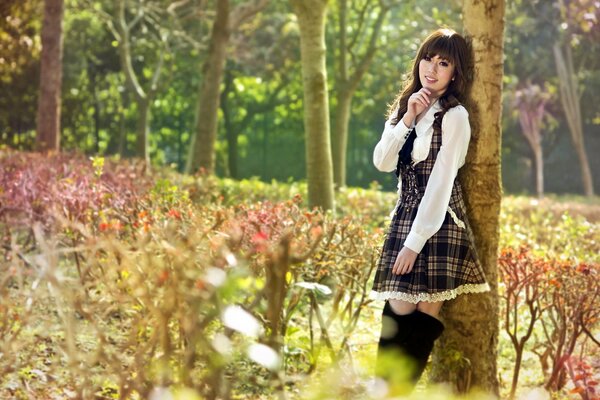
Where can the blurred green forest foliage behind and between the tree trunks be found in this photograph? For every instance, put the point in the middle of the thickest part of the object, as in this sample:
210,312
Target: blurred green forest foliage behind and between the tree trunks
261,130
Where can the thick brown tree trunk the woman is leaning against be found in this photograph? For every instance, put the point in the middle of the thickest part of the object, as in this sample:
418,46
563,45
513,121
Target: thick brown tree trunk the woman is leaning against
472,320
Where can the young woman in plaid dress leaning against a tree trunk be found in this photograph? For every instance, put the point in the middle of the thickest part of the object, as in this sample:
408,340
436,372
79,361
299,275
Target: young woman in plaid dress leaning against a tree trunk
428,255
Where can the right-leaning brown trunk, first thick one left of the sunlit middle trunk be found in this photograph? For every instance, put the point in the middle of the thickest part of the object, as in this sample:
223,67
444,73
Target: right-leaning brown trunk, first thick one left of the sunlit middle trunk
202,148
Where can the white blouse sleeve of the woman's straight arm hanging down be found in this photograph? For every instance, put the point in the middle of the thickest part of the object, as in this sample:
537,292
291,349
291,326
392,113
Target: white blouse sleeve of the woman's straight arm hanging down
456,133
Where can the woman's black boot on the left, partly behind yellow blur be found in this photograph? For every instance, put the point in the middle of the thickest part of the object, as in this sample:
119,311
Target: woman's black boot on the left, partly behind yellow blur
396,331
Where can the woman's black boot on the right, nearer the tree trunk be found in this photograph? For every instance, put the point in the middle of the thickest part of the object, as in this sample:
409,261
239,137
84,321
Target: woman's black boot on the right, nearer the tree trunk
420,342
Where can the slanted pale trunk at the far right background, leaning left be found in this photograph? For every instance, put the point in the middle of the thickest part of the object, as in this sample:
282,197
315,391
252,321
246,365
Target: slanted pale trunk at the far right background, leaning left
569,98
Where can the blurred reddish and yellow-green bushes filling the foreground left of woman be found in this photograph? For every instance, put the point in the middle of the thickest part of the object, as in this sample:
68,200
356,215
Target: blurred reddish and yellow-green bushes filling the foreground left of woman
154,291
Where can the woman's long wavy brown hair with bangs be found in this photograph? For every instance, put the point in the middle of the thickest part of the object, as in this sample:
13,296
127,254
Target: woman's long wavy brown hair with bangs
450,45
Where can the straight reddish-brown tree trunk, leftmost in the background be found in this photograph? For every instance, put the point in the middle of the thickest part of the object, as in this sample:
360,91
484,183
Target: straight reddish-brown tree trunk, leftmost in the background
48,113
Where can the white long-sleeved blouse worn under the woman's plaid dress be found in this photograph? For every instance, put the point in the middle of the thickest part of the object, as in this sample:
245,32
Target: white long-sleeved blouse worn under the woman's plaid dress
451,156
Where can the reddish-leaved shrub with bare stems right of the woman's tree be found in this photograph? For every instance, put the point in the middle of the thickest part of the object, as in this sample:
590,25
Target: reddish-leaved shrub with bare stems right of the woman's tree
557,297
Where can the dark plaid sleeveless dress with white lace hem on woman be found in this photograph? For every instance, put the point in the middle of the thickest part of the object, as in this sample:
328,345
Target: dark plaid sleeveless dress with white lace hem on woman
448,264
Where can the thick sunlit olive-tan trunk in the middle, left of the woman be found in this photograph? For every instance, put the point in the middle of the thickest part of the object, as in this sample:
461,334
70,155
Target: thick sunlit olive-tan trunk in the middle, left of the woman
311,20
